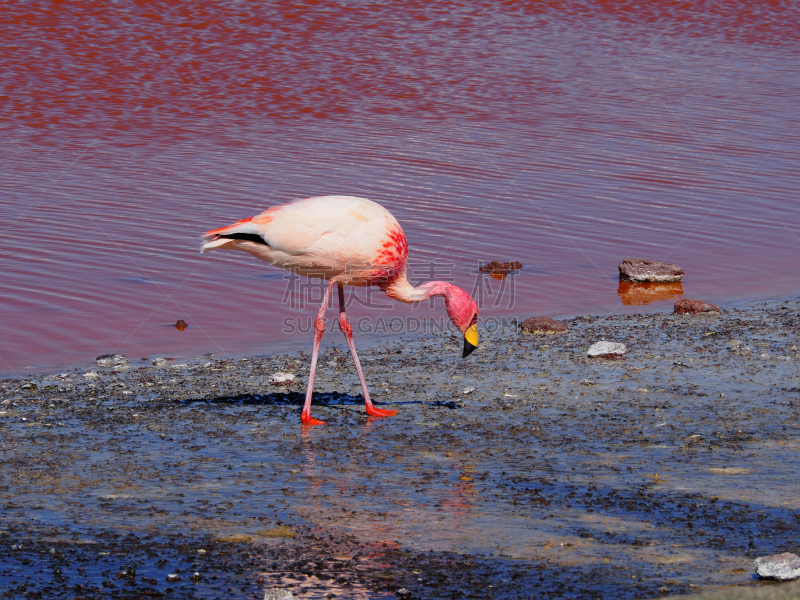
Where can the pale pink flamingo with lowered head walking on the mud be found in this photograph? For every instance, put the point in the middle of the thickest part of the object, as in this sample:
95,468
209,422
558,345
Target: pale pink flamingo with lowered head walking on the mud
348,241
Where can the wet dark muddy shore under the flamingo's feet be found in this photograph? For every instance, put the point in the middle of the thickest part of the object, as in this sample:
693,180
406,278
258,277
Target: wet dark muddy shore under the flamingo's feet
527,470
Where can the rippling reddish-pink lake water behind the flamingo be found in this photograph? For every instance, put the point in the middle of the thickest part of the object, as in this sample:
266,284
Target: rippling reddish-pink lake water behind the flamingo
564,135
